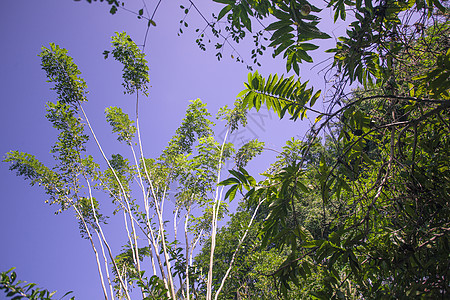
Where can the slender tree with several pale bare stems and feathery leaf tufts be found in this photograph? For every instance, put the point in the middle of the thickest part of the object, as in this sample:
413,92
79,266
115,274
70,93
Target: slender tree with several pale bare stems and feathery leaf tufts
191,164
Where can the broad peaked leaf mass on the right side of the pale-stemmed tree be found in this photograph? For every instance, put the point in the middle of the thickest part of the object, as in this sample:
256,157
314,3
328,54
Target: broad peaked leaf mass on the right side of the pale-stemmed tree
191,162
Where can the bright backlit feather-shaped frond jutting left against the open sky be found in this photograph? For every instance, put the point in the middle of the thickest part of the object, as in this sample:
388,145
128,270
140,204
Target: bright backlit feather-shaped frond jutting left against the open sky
279,94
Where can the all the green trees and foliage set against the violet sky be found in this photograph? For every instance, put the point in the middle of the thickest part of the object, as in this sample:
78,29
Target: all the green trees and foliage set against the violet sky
359,209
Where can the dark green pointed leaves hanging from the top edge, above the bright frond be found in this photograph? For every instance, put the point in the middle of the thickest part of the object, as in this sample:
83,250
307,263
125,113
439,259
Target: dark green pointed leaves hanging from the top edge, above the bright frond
295,23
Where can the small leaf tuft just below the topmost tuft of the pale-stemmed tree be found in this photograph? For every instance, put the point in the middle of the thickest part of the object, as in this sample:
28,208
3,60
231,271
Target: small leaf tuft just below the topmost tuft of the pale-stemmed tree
121,124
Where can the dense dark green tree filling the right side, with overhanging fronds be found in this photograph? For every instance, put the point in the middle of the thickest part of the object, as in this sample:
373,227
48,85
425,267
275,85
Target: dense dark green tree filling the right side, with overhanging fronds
389,234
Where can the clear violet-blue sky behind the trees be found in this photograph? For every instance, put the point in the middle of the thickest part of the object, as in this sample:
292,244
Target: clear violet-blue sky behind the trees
46,248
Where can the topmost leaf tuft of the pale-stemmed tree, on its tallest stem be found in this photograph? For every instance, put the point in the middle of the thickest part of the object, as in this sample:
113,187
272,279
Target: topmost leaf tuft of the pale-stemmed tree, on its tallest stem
135,69
